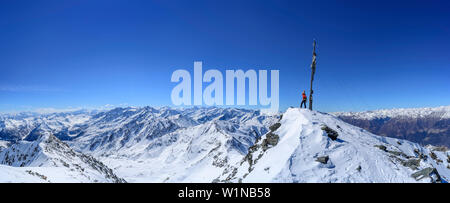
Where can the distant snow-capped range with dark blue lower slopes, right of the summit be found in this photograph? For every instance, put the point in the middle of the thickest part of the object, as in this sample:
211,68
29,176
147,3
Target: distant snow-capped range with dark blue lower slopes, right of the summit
421,125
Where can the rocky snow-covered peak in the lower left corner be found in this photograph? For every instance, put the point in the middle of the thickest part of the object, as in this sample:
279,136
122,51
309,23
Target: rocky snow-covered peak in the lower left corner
51,160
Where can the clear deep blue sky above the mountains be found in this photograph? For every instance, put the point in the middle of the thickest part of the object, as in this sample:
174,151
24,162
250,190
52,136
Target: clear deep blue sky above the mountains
371,54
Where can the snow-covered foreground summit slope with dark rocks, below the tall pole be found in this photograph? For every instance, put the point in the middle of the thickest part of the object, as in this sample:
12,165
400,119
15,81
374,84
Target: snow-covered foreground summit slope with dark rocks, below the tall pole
356,156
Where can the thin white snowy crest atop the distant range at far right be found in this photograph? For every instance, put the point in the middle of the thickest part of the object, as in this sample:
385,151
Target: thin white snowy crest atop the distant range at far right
442,112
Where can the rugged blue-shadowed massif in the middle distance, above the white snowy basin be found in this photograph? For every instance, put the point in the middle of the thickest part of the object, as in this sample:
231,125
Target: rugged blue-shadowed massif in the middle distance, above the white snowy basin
123,128
